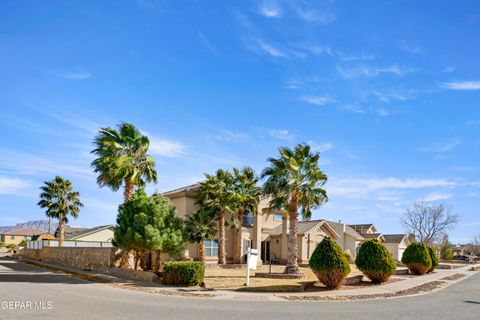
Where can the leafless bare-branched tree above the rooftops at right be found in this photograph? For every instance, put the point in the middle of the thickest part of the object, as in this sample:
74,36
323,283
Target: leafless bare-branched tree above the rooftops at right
429,221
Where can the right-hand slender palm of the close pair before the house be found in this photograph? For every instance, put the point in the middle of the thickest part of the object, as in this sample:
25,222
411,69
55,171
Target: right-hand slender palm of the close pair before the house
247,193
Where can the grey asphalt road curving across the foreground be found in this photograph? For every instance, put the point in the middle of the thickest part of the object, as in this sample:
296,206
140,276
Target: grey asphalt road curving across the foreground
28,292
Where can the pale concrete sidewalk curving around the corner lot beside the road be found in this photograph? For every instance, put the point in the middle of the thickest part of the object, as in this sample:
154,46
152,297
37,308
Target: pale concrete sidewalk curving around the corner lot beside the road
405,283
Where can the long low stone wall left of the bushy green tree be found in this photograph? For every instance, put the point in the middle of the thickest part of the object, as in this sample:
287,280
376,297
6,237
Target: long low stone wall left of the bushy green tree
91,259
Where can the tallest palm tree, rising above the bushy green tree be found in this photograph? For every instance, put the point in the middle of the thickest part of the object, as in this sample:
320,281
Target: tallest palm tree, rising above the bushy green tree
122,159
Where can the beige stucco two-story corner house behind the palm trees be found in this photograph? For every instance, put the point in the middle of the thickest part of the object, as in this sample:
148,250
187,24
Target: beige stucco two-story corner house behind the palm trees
267,231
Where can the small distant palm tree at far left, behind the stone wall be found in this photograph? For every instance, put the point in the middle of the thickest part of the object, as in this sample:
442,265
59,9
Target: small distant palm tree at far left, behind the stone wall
60,201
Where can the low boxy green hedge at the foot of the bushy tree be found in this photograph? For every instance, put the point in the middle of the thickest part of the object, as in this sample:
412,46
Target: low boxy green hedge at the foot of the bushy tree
183,273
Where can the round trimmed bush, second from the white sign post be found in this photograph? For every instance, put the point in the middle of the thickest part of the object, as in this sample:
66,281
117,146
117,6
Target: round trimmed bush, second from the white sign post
375,261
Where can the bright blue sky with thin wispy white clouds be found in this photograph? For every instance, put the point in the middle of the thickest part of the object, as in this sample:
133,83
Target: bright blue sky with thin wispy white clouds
387,91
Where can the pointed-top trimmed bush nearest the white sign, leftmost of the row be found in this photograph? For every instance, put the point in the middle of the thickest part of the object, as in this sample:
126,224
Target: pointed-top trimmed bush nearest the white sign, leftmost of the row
329,264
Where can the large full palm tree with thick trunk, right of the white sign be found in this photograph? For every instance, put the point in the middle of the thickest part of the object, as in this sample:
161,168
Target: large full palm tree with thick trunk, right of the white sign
294,181
